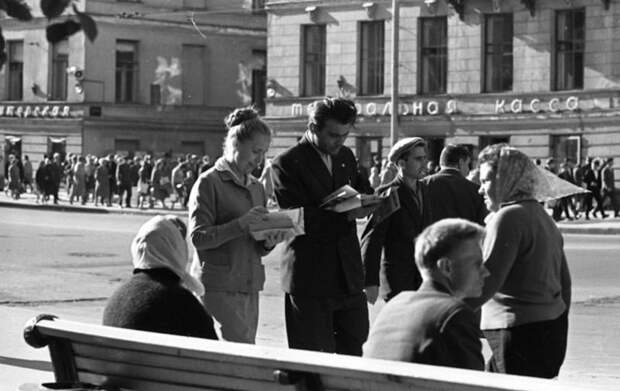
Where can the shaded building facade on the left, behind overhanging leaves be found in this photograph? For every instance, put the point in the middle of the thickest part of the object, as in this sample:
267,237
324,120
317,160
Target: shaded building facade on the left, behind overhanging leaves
159,77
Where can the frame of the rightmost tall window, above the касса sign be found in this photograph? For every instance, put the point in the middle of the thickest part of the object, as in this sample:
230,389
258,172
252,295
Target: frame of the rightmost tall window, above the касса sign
556,83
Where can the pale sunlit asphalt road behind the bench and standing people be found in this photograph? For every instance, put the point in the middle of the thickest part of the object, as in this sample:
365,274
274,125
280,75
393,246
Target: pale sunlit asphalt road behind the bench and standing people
69,263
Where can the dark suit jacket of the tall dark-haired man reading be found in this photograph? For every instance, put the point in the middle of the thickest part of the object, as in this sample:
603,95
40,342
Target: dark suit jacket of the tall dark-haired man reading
326,261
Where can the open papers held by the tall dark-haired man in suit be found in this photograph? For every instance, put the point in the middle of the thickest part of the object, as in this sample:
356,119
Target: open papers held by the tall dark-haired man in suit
347,198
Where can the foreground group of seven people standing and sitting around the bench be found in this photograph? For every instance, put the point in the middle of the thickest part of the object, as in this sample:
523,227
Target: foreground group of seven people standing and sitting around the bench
456,262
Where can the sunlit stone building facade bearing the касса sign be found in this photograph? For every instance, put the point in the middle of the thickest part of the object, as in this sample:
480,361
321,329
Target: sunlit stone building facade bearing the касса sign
543,75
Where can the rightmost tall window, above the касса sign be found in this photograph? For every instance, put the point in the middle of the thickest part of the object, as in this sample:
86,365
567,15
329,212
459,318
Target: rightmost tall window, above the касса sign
569,49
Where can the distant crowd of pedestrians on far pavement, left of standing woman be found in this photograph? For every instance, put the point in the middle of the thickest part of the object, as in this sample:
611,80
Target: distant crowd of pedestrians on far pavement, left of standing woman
140,181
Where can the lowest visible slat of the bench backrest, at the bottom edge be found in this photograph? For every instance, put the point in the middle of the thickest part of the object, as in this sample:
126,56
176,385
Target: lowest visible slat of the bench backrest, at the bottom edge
172,376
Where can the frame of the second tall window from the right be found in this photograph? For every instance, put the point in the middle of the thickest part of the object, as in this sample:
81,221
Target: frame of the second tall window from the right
501,54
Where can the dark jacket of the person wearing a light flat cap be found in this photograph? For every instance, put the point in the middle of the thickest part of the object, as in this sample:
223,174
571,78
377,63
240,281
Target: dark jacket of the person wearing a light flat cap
395,236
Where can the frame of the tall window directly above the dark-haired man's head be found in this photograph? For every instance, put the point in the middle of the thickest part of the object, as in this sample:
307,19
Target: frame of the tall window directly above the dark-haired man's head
318,88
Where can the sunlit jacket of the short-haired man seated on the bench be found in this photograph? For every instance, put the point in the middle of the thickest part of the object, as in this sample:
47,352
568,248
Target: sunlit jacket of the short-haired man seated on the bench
429,326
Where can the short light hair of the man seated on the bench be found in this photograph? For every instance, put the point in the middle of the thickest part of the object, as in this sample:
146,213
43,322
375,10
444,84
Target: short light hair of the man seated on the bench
442,238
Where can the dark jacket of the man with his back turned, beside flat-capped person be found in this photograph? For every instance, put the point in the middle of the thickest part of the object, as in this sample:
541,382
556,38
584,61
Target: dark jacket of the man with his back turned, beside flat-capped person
453,195
